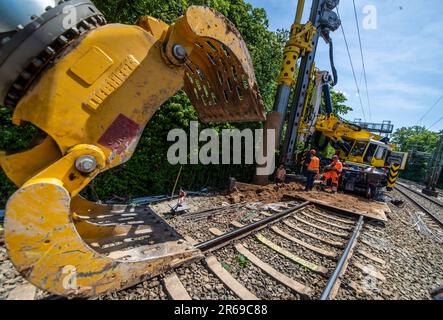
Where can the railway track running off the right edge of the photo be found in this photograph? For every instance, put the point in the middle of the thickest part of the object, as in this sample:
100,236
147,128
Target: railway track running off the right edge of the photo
429,219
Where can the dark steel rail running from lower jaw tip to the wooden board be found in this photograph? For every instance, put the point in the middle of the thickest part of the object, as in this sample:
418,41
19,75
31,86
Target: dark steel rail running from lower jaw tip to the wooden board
239,233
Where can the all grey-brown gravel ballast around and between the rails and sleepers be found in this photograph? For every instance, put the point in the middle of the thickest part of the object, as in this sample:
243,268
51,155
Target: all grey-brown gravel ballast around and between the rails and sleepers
414,262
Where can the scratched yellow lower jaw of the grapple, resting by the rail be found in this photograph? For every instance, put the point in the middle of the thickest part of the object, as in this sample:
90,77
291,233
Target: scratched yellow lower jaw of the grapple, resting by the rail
62,250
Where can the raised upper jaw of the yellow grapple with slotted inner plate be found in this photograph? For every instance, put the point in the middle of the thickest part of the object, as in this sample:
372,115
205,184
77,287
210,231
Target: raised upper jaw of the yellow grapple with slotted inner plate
219,76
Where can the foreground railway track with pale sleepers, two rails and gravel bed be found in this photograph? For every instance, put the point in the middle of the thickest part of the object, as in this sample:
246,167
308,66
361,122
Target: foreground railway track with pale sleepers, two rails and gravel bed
301,252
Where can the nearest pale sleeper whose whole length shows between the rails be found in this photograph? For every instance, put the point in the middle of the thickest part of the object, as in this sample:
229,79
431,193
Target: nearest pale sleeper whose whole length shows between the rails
301,289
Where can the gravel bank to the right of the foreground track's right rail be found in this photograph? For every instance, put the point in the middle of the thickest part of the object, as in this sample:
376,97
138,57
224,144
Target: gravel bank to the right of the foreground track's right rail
414,262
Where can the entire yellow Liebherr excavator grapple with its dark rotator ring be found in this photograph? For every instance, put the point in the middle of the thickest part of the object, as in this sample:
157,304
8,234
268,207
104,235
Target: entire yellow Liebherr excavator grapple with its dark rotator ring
92,88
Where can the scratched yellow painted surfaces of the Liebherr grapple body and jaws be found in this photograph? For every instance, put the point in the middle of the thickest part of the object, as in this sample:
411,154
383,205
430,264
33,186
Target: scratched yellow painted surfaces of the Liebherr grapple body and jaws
115,73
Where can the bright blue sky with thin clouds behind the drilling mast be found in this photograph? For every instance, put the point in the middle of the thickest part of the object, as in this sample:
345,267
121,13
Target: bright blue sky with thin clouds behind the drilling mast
403,57
